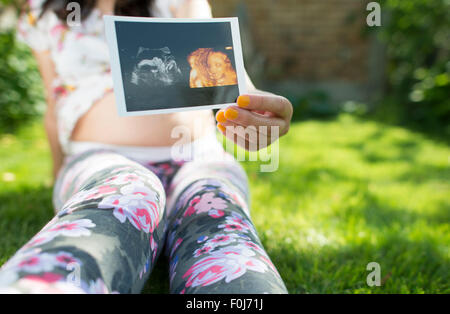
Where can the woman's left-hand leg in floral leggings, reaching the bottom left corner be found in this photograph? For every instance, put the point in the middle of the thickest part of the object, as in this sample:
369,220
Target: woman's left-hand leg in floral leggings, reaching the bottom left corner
105,237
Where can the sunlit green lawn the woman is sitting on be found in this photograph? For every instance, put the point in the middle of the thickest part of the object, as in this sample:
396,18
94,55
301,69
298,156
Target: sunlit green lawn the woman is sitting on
347,192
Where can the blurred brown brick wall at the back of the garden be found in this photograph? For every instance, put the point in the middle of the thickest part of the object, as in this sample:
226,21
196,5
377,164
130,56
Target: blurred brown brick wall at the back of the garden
305,40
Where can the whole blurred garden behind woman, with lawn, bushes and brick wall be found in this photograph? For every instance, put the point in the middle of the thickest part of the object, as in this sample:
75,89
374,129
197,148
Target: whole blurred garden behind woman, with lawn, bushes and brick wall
364,171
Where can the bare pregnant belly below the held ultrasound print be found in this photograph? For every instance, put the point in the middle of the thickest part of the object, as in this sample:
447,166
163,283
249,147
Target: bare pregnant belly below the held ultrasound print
102,124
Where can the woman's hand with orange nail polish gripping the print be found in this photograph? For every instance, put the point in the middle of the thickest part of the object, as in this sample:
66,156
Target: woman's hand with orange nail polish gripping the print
257,121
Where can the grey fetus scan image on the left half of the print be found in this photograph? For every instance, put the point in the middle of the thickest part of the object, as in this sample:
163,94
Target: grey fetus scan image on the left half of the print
155,68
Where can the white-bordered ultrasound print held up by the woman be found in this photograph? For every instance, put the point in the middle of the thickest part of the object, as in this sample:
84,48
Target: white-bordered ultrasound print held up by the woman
166,65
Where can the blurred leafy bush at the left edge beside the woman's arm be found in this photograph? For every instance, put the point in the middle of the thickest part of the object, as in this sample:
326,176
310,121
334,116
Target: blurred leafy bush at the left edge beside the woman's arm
21,91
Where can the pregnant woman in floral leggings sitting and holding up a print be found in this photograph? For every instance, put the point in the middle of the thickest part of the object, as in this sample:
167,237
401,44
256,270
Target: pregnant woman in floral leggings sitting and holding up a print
119,197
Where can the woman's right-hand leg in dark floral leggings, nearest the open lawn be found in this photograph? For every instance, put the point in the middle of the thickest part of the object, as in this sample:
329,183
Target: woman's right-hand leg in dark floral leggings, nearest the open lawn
212,244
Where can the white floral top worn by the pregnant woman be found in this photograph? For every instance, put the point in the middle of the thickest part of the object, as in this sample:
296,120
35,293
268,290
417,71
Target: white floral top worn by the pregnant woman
81,59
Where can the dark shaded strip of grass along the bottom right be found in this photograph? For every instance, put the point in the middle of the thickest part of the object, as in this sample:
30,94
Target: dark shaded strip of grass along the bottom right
406,267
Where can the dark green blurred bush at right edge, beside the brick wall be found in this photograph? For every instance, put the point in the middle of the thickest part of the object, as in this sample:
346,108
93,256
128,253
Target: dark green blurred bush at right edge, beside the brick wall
416,34
